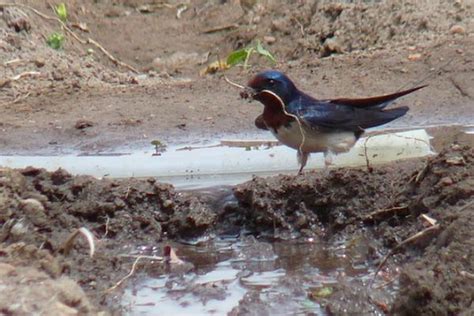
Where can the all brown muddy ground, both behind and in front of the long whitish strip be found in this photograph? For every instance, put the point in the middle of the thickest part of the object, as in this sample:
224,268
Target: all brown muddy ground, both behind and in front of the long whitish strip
78,100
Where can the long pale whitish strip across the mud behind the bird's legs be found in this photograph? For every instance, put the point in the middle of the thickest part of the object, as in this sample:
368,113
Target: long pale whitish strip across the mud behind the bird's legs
230,162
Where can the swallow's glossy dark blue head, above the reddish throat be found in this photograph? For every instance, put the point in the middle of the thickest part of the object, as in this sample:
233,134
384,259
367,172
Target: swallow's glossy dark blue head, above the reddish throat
275,82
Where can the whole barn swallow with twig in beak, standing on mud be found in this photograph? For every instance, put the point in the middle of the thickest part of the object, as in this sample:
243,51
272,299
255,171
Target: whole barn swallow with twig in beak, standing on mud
310,125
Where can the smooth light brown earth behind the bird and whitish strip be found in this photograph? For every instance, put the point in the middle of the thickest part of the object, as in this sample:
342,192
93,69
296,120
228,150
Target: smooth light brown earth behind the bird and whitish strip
415,43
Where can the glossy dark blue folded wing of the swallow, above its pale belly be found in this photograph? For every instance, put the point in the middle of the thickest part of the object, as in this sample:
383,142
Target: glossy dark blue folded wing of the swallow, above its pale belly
323,114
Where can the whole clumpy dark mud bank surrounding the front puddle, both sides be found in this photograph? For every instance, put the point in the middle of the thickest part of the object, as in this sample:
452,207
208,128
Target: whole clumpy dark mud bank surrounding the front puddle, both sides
39,209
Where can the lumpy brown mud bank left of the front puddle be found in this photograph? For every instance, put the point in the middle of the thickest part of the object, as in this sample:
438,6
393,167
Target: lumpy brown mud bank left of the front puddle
39,210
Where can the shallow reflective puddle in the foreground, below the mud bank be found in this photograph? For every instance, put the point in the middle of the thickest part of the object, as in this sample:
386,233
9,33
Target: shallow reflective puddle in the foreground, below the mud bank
271,278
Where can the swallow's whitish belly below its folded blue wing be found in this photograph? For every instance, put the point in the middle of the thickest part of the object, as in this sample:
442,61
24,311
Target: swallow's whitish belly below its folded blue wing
315,141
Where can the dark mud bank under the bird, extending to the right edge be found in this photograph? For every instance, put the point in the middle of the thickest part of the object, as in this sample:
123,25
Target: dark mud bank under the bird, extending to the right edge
385,206
